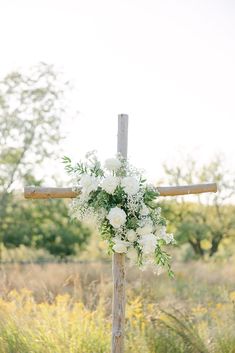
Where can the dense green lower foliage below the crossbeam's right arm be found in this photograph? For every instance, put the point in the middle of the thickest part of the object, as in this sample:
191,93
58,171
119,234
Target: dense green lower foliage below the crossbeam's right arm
199,225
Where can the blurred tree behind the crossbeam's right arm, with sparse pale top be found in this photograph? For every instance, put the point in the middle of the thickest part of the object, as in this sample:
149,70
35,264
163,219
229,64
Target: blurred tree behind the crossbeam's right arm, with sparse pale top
212,217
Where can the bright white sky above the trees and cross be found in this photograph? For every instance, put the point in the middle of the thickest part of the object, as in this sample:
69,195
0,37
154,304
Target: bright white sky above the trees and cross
169,64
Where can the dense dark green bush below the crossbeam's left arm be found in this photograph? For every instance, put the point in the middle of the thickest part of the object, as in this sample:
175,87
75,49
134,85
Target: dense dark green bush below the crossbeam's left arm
43,224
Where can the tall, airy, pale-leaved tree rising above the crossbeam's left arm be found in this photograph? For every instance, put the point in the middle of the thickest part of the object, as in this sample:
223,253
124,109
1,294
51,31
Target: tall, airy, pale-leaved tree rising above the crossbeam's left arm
31,107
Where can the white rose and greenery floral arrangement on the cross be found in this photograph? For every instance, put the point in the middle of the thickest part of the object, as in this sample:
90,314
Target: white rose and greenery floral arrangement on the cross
124,207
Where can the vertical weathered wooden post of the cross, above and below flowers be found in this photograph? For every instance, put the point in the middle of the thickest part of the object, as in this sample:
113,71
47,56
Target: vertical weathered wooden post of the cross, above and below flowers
119,300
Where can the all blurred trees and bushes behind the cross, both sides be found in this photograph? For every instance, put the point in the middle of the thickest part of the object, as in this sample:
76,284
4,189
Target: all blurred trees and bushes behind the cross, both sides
32,106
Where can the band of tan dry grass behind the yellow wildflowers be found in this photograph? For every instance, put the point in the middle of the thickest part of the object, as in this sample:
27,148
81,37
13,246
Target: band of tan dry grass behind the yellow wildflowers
194,282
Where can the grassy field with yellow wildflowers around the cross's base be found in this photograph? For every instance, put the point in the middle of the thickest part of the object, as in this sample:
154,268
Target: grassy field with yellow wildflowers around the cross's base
57,308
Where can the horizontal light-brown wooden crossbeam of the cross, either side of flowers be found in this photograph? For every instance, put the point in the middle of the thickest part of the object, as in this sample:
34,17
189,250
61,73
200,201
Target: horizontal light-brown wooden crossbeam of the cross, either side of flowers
33,192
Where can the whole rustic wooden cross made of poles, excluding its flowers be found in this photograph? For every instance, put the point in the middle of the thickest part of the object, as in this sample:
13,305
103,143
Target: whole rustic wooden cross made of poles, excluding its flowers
118,261
